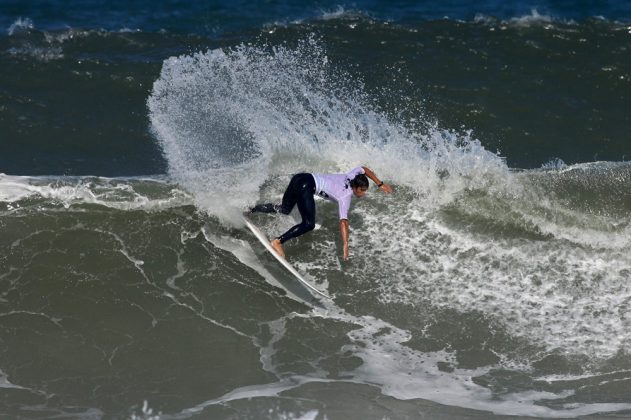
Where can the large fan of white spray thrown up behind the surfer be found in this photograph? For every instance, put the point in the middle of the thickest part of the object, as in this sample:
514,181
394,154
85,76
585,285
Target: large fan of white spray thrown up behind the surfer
230,119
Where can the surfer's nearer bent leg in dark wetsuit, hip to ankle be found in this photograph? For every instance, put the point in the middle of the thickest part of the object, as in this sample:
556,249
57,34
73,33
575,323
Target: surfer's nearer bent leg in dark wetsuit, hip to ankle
302,194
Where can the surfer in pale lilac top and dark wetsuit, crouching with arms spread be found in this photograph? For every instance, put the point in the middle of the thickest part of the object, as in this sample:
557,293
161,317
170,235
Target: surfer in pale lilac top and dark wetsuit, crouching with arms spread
334,187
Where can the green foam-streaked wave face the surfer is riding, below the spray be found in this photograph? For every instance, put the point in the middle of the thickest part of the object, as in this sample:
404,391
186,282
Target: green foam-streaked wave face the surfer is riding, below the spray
506,298
